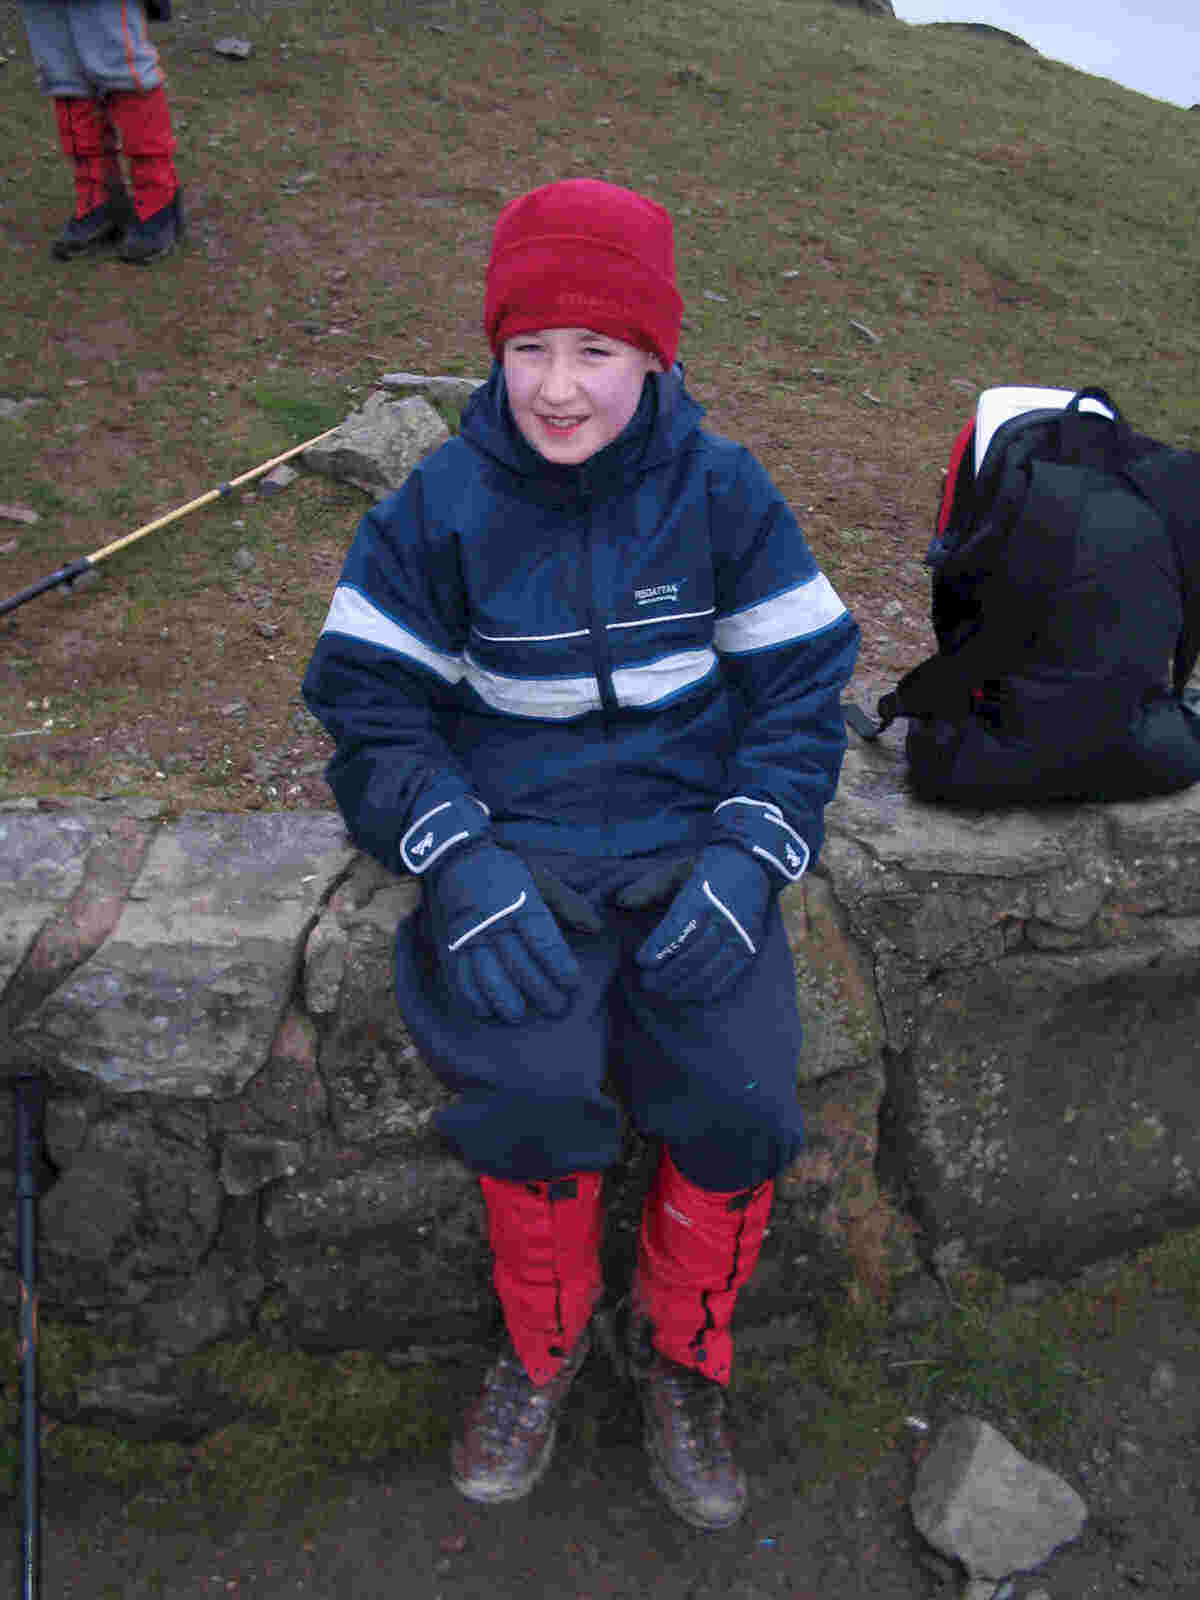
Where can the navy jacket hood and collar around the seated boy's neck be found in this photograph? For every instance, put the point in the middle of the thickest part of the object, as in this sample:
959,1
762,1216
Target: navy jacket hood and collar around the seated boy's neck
665,418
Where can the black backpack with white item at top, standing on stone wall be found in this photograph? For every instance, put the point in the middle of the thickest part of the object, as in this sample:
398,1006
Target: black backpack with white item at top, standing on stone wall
1066,607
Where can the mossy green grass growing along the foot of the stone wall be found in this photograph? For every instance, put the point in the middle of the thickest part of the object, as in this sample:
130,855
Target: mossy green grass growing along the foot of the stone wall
1023,1367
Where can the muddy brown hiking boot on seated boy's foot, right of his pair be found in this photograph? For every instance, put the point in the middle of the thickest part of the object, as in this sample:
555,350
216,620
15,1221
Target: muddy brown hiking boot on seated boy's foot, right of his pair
689,1446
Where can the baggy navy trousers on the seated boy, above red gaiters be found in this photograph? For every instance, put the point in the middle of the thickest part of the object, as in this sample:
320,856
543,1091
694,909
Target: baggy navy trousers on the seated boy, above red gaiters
537,1100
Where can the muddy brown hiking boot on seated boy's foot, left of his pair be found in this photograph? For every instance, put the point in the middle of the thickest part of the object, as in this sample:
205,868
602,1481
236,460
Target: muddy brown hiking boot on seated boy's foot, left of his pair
508,1438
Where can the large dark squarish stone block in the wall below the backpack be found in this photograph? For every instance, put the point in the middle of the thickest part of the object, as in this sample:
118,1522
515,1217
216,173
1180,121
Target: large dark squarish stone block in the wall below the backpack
1046,1121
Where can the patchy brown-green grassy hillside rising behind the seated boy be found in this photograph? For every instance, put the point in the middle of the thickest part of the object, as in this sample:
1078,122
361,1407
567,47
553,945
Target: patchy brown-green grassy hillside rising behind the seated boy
991,217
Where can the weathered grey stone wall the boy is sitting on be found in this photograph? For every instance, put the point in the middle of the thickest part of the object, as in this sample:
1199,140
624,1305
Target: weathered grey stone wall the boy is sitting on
999,1071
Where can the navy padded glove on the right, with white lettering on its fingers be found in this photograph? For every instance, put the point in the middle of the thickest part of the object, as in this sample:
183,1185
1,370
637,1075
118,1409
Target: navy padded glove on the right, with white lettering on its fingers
713,930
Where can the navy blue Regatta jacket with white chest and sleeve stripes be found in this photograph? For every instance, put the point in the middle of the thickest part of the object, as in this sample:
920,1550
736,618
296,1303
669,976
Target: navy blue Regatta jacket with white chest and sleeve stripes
598,655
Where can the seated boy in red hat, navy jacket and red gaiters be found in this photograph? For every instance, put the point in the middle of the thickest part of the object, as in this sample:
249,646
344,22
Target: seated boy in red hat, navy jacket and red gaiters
585,681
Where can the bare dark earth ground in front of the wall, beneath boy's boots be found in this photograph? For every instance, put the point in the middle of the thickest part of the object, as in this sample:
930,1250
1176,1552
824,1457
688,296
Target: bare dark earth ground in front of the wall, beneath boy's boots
594,1529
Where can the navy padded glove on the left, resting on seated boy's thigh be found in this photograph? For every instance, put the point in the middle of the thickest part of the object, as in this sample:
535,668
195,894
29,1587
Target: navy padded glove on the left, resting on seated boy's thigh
502,950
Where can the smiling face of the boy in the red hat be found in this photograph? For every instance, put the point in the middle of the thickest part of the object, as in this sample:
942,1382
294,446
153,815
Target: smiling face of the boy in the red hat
574,391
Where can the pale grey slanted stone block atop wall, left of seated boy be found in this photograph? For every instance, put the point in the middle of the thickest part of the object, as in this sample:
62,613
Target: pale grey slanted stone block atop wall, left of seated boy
186,994
